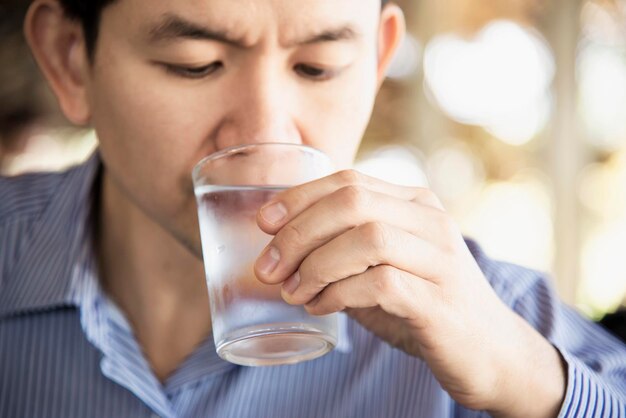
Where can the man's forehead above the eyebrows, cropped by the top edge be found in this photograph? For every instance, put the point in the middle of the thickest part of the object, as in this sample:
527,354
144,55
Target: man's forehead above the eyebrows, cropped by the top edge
250,19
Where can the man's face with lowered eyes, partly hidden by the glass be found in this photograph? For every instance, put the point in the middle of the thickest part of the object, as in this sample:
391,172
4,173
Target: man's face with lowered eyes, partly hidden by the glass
176,80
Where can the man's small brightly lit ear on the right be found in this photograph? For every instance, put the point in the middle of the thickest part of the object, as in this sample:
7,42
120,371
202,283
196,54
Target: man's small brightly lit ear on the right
390,32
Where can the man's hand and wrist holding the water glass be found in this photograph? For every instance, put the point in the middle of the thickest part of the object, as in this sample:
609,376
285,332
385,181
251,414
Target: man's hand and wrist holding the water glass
393,259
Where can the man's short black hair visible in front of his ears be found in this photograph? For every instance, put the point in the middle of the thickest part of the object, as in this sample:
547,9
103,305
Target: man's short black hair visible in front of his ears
88,13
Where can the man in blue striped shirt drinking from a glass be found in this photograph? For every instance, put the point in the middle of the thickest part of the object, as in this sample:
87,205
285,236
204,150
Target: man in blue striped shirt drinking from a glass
103,304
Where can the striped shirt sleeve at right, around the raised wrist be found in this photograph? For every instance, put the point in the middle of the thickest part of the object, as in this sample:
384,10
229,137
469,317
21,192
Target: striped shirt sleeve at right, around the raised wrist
595,359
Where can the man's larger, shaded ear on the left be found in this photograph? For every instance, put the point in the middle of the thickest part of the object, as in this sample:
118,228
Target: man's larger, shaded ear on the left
58,45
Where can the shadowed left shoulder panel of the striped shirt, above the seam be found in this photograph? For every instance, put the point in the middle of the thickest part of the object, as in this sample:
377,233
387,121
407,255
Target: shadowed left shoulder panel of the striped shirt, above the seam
42,217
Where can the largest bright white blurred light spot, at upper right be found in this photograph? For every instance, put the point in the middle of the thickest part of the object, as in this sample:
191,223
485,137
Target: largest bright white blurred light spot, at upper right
500,79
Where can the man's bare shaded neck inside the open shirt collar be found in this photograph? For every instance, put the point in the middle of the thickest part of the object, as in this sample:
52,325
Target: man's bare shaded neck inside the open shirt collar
157,282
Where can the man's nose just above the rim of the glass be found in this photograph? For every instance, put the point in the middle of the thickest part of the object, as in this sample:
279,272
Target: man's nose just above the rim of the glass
260,109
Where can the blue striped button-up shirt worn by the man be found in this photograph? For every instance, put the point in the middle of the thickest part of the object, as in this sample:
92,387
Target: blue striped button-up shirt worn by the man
66,350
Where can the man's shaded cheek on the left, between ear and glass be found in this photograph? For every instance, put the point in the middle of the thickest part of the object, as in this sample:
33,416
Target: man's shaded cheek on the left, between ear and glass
150,138
